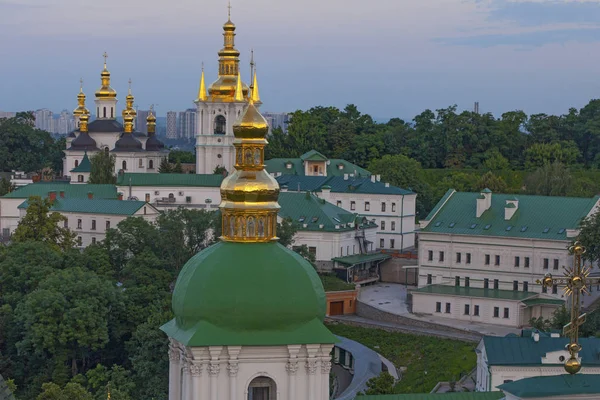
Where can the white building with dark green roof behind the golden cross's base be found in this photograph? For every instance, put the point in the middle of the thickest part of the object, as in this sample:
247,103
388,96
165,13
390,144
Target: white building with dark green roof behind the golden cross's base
502,360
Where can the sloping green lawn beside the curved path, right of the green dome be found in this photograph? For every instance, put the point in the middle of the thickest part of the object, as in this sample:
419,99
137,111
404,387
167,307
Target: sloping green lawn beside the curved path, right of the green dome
428,359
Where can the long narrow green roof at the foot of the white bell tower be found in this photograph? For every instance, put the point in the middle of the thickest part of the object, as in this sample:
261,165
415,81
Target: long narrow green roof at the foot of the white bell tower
177,180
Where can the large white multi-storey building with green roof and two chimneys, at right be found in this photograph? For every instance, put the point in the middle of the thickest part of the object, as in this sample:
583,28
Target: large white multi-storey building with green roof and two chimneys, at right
480,255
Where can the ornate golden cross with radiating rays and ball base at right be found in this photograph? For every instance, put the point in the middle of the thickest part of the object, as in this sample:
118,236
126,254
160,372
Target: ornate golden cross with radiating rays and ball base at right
575,282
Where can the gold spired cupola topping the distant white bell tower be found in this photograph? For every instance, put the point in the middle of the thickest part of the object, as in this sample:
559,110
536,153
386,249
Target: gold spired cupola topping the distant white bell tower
224,88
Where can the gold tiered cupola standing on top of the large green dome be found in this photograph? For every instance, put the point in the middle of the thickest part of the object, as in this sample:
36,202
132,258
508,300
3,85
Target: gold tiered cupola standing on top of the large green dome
249,195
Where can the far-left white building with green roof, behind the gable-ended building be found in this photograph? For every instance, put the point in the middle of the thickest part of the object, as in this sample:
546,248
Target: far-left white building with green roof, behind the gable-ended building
10,214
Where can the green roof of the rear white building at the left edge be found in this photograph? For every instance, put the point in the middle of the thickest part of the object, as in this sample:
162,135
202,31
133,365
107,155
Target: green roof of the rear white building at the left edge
74,190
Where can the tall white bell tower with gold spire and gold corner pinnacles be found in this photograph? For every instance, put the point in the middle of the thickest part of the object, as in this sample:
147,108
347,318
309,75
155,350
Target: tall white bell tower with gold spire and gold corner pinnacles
217,110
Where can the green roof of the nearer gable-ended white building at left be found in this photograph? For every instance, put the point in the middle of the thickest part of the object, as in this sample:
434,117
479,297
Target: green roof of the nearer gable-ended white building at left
95,206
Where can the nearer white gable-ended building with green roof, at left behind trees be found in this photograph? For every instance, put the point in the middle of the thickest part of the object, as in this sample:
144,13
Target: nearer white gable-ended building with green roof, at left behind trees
90,218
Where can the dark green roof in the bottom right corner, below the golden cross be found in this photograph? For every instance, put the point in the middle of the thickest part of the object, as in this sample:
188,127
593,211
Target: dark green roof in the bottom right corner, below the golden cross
558,385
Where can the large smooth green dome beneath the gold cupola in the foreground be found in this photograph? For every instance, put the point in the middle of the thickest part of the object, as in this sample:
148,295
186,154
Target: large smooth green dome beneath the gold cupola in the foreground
248,294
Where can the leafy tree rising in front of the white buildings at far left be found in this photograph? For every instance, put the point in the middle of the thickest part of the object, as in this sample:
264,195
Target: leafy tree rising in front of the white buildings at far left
41,225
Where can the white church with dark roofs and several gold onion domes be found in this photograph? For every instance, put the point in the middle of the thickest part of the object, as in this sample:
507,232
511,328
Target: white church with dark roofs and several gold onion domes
135,151
